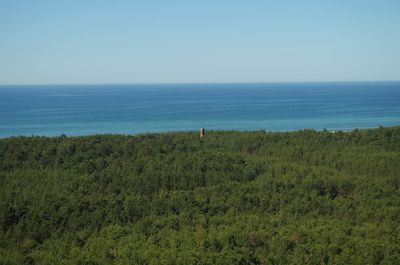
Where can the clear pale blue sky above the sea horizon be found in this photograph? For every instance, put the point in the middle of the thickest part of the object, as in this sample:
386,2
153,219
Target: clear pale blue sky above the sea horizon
94,41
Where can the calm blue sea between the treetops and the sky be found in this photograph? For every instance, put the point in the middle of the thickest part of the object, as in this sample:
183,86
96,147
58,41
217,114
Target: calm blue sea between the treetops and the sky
129,109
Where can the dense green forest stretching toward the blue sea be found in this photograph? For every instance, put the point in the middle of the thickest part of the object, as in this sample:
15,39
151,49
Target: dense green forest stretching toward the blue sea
303,197
